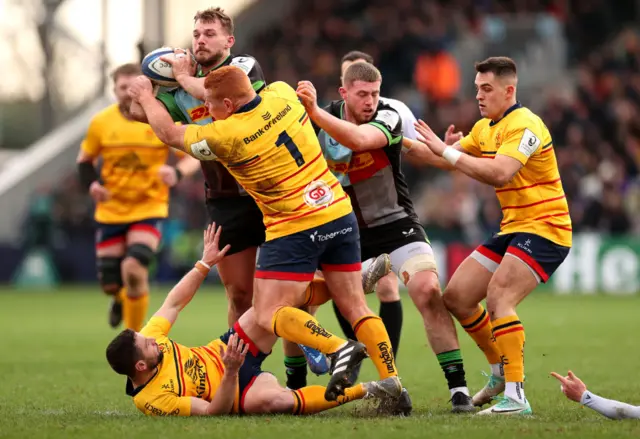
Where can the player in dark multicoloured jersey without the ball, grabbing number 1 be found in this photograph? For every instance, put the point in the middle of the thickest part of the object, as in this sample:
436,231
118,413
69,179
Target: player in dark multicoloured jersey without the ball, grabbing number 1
366,160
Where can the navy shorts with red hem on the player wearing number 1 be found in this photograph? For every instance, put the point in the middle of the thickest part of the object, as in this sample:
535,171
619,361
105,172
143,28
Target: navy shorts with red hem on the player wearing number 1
334,246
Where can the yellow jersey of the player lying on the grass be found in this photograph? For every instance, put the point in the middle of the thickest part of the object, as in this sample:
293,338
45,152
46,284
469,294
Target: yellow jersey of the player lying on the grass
183,373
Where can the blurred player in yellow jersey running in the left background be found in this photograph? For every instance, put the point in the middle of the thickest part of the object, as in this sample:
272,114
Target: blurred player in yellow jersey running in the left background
132,197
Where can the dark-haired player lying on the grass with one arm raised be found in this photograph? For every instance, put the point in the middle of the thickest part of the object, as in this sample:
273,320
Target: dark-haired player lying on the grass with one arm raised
225,376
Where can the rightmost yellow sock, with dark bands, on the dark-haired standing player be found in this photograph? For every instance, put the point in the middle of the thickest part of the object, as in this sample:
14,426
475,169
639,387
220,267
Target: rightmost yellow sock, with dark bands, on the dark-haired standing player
509,335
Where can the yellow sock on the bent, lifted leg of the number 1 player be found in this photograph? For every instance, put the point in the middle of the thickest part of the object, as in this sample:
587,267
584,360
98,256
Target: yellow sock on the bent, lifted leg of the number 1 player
302,328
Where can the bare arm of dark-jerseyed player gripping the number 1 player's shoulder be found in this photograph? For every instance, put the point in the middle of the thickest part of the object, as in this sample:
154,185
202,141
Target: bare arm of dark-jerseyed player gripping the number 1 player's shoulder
355,137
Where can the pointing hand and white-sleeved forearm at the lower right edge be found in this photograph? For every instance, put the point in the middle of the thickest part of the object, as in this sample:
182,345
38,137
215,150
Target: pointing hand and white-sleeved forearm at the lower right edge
576,390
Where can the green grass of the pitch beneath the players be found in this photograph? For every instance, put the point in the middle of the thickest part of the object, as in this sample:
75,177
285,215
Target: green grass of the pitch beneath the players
56,382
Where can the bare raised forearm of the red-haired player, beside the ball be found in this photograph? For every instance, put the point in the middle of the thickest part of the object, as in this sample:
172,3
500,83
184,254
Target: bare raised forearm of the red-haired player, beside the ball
141,91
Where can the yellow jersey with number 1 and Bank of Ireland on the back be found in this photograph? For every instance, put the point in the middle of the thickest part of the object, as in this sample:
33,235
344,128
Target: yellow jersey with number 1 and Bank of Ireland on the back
271,149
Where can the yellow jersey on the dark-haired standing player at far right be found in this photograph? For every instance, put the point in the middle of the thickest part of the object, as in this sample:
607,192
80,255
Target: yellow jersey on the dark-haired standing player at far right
534,201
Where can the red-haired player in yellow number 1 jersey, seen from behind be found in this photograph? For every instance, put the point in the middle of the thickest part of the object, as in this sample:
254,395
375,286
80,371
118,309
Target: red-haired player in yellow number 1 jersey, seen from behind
269,146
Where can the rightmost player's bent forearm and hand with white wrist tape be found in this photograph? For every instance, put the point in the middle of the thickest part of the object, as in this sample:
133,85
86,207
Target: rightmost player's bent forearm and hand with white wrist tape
497,172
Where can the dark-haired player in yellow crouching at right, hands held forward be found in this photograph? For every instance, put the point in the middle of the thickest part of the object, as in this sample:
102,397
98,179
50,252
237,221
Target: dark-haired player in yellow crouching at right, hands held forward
512,150
